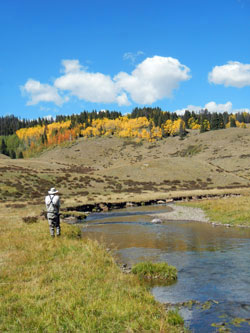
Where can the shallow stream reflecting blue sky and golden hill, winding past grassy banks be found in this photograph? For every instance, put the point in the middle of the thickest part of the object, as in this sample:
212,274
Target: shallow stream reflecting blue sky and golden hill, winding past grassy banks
213,263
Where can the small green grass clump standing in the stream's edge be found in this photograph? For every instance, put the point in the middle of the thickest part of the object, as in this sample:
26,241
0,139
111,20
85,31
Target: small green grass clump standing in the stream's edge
155,271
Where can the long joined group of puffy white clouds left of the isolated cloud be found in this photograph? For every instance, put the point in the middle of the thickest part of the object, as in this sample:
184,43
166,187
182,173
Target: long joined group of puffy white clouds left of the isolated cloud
153,79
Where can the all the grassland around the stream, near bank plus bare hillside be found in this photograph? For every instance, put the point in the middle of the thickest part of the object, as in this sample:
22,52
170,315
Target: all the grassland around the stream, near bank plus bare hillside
68,285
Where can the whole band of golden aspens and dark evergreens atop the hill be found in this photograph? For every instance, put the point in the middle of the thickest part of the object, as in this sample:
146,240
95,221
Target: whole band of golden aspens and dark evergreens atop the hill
19,137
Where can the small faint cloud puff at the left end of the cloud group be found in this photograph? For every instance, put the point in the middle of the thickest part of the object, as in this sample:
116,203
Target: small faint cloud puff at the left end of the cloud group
38,92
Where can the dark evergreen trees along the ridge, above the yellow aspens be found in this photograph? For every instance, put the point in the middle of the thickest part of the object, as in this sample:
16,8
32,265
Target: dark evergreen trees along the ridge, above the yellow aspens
10,124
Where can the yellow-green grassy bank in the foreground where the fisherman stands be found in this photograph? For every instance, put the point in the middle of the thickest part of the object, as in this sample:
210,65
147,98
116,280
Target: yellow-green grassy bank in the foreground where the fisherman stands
68,285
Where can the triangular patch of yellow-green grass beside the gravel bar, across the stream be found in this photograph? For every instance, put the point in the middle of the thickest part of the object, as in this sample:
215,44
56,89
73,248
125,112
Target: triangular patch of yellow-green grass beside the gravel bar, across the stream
234,211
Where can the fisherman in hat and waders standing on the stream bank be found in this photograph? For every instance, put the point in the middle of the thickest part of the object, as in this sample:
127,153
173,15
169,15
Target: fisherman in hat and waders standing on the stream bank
52,203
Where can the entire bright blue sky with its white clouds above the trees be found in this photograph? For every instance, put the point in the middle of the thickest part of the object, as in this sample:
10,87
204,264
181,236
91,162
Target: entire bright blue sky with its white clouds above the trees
63,57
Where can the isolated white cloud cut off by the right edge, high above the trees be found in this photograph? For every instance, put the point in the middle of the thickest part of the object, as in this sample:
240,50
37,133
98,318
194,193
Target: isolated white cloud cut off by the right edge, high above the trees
234,74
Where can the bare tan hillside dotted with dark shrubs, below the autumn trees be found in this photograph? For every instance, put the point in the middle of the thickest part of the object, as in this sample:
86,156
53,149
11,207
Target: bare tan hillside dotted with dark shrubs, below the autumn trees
111,168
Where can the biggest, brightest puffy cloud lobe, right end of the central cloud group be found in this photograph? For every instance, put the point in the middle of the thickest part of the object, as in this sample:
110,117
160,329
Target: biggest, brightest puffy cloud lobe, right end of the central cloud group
153,79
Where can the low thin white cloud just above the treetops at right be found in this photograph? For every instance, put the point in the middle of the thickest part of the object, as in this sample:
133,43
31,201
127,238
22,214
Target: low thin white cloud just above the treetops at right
212,107
